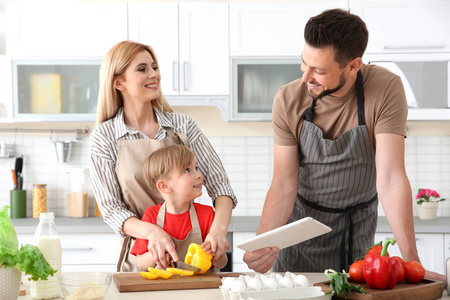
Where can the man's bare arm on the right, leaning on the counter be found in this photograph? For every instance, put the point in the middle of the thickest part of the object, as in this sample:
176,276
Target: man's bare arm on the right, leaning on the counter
394,191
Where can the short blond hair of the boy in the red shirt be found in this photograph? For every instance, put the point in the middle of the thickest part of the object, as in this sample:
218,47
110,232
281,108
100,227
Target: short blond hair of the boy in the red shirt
162,161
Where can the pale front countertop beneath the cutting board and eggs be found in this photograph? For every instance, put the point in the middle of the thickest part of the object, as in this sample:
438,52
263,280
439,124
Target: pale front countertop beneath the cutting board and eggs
196,294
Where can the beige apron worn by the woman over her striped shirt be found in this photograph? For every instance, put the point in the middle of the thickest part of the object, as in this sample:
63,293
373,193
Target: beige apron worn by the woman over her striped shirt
137,196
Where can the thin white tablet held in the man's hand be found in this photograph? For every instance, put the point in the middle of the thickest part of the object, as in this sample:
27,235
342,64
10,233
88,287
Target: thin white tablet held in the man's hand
286,236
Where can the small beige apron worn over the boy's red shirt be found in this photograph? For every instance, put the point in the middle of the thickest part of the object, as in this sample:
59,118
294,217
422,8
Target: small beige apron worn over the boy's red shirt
194,236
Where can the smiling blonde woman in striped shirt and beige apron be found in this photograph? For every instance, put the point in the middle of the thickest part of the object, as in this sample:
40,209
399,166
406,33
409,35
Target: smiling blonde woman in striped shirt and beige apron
133,120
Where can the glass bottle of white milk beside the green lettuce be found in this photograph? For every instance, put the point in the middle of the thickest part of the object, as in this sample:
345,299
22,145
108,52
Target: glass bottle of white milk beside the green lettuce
47,240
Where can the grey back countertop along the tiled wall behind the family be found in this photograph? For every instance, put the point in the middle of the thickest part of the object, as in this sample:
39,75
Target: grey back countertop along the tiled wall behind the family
237,224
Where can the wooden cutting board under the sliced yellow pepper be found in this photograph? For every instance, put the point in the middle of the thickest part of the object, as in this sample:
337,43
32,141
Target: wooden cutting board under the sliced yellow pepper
134,282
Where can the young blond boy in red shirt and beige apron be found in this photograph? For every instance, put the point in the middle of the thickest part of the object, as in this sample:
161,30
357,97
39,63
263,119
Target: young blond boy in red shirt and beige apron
172,172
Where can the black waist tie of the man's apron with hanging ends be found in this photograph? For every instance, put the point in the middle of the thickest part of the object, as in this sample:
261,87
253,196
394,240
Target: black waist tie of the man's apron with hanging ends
348,213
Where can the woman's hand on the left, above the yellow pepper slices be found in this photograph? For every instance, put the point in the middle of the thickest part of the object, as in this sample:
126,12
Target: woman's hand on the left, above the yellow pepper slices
160,245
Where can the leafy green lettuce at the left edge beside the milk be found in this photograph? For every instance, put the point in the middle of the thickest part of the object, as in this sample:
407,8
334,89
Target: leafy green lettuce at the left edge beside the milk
28,259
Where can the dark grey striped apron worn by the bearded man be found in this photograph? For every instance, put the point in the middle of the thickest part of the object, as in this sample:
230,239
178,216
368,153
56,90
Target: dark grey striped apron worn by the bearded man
337,186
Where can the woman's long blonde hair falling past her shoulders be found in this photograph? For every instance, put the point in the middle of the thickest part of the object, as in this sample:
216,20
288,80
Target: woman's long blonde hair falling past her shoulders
114,64
